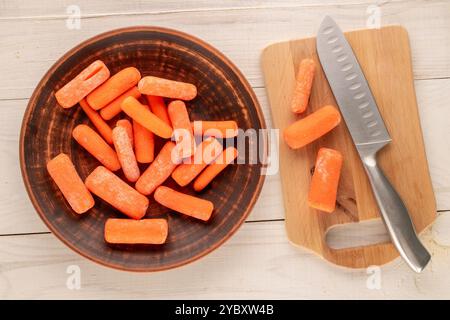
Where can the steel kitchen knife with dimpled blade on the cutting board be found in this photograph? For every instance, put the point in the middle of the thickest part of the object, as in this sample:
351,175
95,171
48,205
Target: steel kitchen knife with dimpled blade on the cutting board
369,133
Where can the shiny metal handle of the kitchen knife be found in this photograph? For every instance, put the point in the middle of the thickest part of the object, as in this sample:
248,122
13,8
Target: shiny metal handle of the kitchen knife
396,217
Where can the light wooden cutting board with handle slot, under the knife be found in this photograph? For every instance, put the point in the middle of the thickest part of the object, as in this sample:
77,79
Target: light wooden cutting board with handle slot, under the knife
384,55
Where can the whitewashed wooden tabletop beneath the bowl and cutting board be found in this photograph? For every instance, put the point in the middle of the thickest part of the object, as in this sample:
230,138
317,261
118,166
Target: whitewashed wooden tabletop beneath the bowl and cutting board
258,262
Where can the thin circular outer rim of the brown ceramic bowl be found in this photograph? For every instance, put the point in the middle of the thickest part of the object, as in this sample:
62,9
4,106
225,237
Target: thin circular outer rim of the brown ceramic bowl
45,78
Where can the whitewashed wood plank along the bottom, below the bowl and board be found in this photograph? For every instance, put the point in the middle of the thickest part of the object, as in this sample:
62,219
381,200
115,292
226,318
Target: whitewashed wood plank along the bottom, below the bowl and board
258,262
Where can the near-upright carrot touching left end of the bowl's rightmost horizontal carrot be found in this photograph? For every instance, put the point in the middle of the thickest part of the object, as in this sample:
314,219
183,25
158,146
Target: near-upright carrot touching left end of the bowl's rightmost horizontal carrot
182,129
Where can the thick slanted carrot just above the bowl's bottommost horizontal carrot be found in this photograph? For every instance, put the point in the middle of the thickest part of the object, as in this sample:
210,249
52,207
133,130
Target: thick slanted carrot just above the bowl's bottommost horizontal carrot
106,185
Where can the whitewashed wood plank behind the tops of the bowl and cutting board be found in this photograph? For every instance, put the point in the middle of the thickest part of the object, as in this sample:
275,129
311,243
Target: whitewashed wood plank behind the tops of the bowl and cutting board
30,46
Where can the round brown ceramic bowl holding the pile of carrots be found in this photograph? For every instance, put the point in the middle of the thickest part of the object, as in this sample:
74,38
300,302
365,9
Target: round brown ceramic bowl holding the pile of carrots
223,93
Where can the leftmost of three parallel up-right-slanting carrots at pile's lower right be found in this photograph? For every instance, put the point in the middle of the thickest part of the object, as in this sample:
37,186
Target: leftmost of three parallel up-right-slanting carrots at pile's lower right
159,170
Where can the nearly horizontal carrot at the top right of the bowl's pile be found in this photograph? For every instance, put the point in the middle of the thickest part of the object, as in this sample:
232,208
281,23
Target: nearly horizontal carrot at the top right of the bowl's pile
155,86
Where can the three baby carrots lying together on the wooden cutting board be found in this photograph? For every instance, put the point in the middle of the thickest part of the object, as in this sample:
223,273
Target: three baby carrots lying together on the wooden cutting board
325,179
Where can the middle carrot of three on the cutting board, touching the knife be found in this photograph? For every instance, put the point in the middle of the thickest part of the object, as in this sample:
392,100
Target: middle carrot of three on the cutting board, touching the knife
312,127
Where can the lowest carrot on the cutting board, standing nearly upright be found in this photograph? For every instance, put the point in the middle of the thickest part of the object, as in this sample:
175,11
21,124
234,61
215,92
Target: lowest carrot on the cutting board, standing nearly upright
325,180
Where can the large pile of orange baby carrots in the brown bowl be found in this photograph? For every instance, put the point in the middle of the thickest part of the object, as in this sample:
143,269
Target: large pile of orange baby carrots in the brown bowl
137,107
